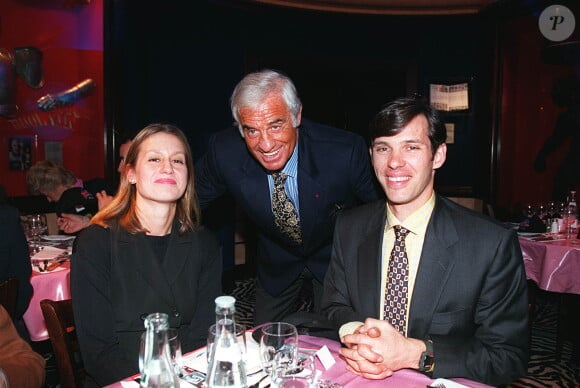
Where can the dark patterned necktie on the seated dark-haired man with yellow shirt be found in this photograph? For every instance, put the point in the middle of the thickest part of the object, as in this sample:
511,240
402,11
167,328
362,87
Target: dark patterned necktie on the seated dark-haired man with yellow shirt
396,294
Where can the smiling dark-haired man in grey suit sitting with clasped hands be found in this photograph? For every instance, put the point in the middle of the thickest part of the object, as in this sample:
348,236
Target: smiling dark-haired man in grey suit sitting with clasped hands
465,313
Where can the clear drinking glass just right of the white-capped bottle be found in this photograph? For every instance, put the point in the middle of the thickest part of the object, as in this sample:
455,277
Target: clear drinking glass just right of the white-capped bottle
279,344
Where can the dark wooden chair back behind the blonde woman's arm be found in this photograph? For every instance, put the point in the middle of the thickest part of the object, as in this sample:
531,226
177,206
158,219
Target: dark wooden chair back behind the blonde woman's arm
60,325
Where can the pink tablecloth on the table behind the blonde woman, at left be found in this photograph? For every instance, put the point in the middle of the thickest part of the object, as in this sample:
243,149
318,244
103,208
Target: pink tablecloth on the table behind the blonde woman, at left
52,285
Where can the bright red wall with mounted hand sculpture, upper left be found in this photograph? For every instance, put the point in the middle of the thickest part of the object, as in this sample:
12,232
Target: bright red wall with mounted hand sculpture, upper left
70,37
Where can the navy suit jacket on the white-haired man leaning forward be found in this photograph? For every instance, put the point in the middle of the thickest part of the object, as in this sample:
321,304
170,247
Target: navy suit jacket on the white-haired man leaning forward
334,173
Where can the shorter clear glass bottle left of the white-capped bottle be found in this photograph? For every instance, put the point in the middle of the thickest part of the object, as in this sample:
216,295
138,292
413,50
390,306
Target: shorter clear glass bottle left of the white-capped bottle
157,369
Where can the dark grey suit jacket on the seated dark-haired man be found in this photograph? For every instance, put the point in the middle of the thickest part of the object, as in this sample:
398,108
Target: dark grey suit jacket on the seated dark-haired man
470,294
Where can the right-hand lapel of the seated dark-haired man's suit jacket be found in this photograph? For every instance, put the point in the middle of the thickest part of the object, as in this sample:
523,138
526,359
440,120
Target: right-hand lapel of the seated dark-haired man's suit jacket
437,260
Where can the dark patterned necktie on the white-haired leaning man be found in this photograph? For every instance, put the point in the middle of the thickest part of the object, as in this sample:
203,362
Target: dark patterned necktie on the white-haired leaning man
285,214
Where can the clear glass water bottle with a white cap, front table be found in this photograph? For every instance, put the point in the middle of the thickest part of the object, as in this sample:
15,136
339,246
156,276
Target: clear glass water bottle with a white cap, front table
227,367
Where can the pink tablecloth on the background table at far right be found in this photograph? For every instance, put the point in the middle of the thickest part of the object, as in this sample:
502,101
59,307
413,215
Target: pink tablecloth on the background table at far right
554,265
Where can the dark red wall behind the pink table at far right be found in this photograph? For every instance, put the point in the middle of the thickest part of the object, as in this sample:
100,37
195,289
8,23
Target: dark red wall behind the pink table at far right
528,115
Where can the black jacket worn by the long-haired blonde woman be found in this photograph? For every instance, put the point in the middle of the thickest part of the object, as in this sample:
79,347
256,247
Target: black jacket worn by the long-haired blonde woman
116,280
